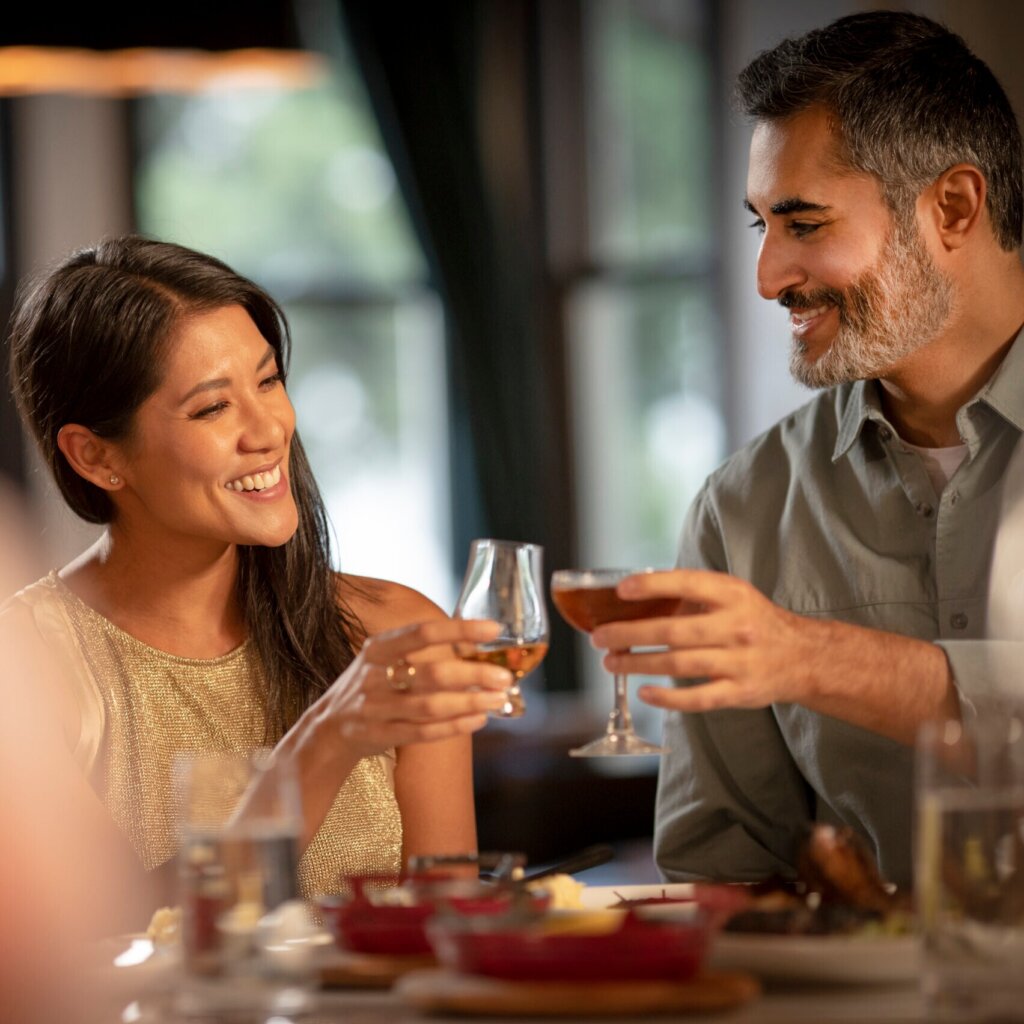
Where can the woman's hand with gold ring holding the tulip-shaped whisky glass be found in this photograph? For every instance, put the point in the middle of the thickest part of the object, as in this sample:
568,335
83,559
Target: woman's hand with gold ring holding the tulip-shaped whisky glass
408,687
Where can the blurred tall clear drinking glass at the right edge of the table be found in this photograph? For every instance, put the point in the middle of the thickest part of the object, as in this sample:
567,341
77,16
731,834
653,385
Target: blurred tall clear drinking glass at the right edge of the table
970,867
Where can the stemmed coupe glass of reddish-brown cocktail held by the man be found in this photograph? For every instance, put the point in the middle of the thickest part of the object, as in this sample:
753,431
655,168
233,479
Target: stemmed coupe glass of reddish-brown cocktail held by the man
587,600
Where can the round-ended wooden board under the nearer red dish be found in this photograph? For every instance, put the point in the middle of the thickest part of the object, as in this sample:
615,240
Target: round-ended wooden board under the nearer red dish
447,992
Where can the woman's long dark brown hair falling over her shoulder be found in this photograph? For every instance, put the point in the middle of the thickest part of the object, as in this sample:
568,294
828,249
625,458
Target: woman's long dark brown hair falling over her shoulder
88,347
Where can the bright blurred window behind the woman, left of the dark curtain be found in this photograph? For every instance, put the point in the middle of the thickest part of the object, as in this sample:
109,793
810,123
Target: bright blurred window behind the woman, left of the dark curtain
292,188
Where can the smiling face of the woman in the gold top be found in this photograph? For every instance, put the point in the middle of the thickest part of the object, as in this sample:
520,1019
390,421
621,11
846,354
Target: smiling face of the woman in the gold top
208,456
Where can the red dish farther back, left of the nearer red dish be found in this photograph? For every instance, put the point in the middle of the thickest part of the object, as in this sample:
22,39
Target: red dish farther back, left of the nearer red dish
372,922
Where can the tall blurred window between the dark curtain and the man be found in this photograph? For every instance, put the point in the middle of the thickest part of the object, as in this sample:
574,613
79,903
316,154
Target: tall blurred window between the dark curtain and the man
644,338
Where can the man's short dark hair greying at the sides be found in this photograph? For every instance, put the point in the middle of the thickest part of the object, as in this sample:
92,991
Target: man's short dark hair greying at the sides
911,99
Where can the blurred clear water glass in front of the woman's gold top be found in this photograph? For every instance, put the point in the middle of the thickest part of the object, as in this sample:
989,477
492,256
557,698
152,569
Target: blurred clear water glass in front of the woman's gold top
245,931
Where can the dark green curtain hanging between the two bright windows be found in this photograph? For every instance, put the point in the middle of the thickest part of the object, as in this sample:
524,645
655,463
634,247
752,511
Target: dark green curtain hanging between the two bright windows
454,88
